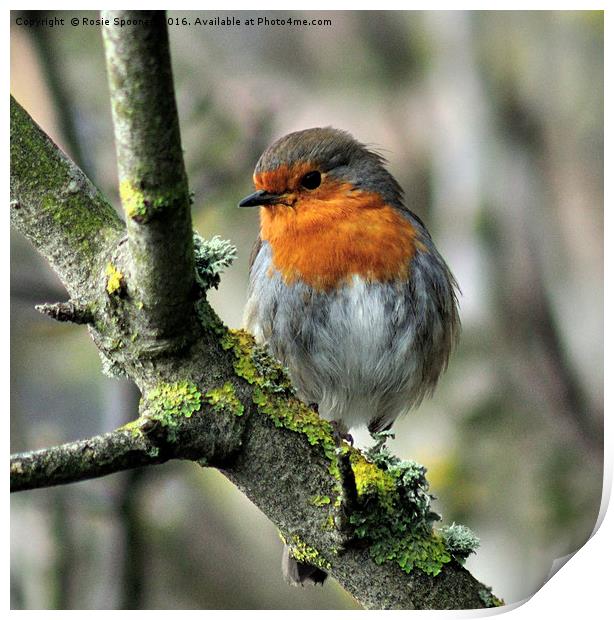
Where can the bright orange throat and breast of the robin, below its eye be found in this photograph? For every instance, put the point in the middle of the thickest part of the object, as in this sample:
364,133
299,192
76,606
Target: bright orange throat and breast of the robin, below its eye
344,232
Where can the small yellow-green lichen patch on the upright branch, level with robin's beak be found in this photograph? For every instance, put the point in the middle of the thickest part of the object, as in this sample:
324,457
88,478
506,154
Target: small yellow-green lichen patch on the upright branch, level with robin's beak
142,205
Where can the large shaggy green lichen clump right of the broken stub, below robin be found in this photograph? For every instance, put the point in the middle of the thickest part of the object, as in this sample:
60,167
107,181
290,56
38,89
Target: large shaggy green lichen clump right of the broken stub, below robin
394,513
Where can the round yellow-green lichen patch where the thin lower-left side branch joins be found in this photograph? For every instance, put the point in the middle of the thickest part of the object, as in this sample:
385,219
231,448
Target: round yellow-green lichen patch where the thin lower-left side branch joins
167,403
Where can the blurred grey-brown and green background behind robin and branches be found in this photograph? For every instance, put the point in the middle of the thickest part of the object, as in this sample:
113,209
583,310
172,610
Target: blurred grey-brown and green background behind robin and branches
493,124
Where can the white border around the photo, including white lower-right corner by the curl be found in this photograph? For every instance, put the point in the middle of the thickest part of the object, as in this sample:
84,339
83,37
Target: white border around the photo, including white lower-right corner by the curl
581,586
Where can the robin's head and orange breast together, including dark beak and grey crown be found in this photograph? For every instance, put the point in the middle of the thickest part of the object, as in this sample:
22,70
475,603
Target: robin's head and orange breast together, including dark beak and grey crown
331,211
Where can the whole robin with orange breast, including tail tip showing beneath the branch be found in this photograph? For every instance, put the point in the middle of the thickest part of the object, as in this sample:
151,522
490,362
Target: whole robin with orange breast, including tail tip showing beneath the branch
346,287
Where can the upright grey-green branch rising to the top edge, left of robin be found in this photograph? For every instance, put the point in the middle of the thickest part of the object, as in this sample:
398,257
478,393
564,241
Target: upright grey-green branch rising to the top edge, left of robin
153,182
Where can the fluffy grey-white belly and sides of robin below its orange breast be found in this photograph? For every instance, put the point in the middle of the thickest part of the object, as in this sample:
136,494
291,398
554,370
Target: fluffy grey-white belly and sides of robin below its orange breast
366,352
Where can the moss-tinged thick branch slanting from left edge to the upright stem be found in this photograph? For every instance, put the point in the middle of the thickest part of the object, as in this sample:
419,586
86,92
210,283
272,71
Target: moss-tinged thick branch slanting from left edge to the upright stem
56,206
